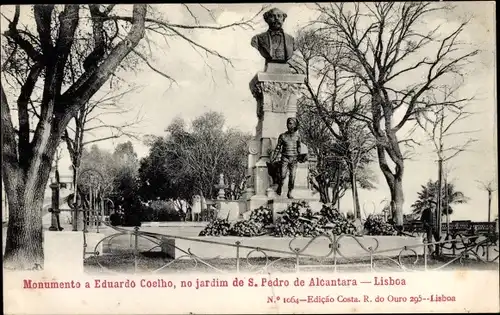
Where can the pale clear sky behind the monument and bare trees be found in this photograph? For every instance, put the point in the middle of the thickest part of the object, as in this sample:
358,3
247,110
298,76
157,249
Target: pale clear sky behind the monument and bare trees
205,84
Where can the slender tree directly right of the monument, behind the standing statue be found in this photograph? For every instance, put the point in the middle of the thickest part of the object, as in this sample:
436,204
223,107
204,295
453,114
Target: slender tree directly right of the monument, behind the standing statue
331,93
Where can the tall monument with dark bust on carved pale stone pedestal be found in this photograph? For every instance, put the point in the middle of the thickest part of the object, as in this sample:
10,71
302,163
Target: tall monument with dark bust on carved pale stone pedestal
276,91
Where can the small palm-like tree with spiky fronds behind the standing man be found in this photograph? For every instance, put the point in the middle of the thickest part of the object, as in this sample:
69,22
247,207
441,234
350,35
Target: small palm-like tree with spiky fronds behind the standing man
428,197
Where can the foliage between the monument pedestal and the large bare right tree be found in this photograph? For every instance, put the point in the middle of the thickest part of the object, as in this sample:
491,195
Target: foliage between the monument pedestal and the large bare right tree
342,144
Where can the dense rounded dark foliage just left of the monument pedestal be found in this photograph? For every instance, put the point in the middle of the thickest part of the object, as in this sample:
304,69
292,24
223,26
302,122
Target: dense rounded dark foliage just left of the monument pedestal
189,160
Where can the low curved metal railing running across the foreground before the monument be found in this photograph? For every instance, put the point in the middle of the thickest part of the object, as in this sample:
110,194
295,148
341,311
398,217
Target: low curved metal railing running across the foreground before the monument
459,249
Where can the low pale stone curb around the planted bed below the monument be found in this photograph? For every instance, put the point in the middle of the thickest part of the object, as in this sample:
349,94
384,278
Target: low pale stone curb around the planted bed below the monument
389,246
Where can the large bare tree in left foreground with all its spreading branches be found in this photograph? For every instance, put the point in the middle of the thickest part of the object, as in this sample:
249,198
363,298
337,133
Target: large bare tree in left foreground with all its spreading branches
35,65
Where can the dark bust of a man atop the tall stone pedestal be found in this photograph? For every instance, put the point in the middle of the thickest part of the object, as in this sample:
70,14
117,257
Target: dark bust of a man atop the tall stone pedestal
274,45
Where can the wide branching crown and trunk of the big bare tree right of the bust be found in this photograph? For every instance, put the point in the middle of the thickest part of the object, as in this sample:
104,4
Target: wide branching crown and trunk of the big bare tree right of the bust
386,72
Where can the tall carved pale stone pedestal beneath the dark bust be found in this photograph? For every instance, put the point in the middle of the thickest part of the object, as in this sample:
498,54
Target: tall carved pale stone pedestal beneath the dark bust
276,91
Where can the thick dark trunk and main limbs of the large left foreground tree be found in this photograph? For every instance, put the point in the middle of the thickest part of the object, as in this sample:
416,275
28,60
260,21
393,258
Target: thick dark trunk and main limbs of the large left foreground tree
26,172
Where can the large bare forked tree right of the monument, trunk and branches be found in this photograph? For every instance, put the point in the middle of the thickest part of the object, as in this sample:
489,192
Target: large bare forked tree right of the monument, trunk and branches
397,61
